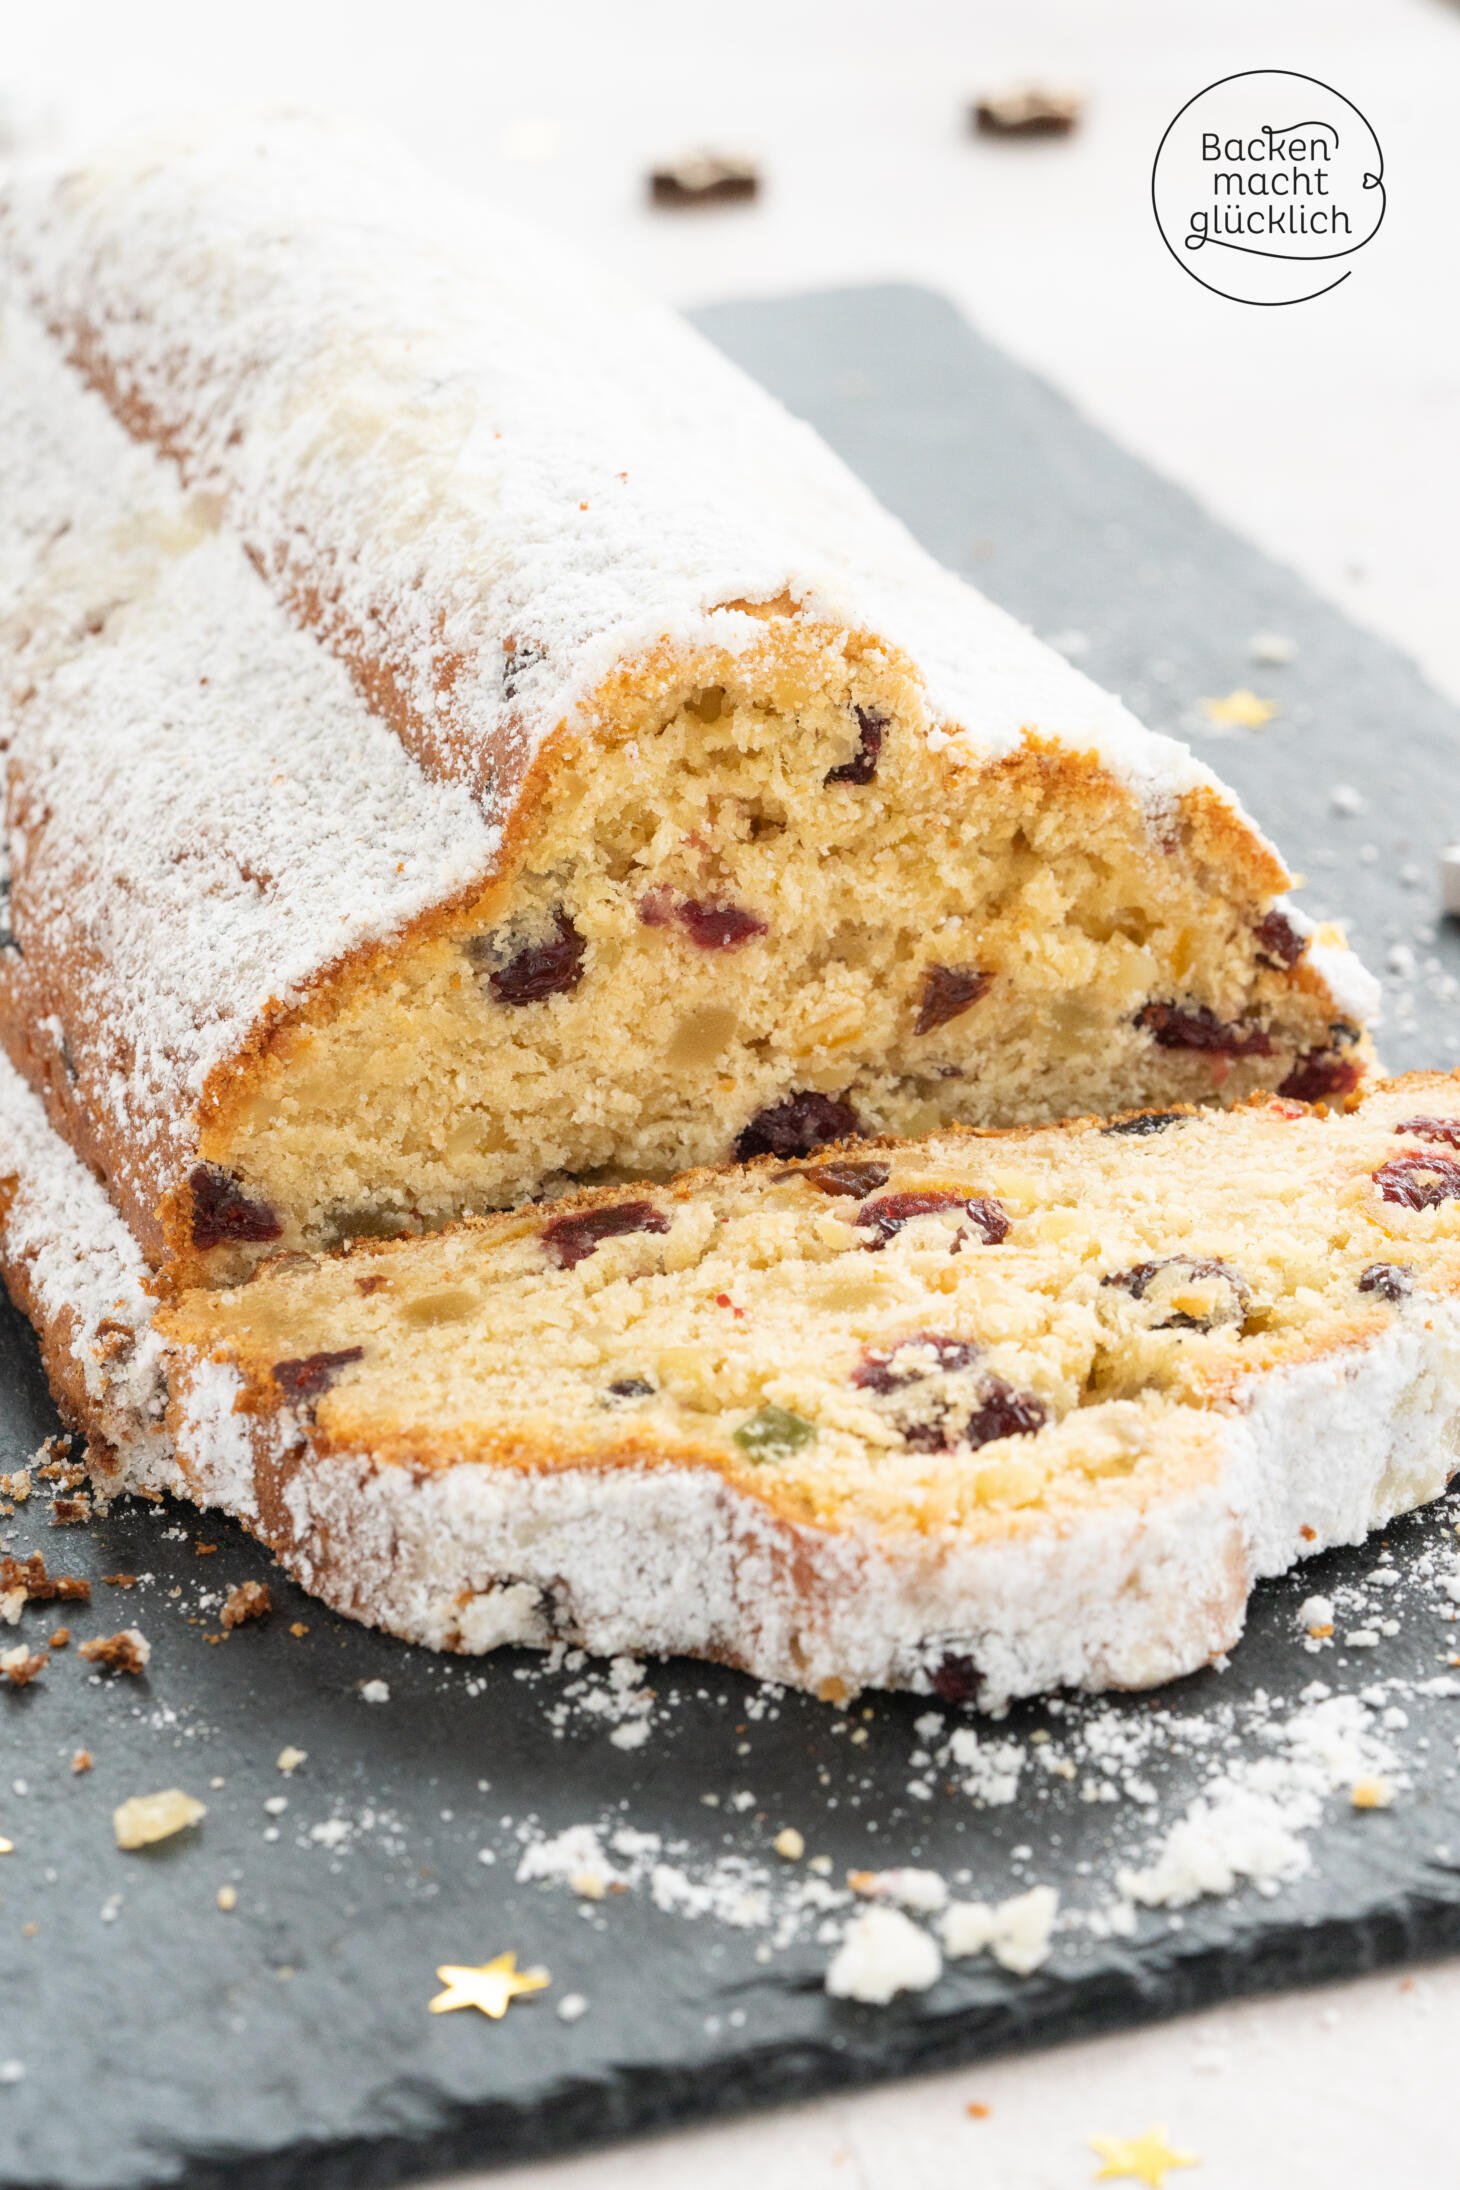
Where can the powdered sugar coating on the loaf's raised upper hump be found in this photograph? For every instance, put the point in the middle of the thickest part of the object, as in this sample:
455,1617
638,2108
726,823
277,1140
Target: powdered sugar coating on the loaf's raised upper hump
474,454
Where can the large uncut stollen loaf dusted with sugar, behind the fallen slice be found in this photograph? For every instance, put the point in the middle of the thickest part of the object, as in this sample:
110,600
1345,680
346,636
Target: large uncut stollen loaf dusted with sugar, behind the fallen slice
463,741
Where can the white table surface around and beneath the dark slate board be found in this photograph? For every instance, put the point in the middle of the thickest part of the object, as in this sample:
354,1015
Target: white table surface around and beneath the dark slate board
1328,433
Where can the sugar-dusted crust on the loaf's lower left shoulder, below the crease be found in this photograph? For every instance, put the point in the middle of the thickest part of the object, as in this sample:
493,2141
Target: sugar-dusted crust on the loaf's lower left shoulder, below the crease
202,809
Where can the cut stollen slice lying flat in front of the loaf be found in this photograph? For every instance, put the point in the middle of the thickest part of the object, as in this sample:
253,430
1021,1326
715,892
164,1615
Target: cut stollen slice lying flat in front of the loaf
984,1414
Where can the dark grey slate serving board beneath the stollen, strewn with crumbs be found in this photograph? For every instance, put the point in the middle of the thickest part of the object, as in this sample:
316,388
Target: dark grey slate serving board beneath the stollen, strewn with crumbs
163,2042
